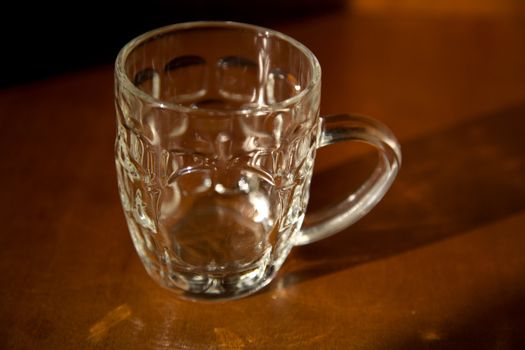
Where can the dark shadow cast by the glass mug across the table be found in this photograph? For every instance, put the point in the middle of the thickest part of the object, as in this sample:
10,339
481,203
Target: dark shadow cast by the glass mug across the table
452,181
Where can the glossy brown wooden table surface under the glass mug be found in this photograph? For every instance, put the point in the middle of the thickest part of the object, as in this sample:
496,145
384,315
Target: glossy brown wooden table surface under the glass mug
439,264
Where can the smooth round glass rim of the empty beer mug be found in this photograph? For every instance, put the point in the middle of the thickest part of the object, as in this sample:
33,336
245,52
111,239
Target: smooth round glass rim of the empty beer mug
124,81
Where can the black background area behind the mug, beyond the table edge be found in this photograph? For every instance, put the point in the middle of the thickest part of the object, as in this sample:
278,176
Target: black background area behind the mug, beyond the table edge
41,40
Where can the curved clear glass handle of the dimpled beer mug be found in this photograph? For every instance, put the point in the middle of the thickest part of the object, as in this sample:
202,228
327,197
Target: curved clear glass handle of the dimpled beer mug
326,222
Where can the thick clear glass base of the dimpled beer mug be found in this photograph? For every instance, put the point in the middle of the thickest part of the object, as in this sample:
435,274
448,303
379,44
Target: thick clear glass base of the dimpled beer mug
216,286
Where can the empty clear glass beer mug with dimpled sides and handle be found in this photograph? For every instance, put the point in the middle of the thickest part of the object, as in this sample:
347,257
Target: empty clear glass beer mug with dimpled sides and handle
217,128
